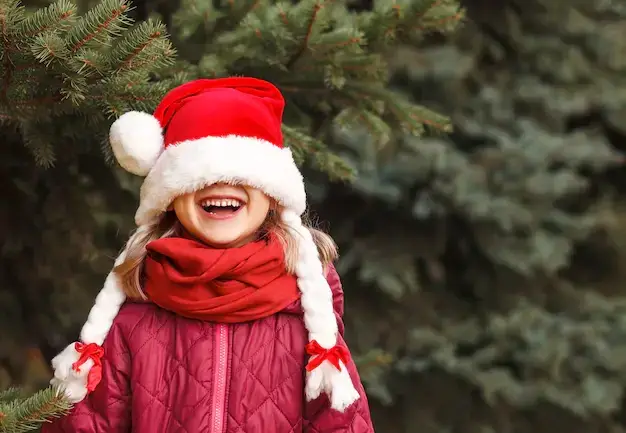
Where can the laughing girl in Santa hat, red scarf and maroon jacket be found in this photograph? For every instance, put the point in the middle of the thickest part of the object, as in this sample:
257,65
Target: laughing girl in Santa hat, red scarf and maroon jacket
223,312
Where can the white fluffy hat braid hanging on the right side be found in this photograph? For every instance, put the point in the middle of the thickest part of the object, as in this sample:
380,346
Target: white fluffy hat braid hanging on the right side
319,319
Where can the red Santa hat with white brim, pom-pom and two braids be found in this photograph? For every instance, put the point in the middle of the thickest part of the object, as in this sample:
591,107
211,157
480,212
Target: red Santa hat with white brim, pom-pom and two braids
205,132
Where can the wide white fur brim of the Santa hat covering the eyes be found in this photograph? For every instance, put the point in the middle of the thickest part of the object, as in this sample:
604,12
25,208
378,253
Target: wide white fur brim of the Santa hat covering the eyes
191,165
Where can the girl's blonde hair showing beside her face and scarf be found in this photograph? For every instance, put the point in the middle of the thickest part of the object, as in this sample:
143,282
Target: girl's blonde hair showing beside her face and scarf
130,271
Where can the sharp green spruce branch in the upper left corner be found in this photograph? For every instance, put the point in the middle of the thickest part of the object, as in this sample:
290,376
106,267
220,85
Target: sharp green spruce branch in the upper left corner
59,66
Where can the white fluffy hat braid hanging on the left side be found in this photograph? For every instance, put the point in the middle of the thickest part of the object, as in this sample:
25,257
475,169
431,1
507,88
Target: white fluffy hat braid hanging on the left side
106,306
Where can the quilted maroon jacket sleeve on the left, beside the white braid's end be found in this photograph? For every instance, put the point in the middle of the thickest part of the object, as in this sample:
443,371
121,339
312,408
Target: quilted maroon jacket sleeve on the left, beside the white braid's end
107,409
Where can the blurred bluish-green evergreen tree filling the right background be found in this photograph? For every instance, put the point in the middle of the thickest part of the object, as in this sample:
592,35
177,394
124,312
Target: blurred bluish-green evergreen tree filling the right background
489,263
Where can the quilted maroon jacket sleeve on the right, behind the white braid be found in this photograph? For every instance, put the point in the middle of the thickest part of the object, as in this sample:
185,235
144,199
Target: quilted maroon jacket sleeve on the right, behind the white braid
318,415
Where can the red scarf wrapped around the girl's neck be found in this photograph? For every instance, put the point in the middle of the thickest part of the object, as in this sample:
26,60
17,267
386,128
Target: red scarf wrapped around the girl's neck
221,285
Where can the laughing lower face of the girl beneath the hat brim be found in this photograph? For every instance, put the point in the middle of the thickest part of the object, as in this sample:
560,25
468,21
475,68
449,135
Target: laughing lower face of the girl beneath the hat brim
222,215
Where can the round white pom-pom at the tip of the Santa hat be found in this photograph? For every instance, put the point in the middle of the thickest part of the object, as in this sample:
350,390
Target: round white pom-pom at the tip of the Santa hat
137,141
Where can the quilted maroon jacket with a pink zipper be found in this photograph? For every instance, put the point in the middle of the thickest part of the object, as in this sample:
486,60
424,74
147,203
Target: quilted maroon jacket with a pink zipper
163,373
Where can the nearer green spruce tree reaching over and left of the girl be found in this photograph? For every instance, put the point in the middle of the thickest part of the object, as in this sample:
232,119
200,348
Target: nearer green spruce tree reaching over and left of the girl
67,75
